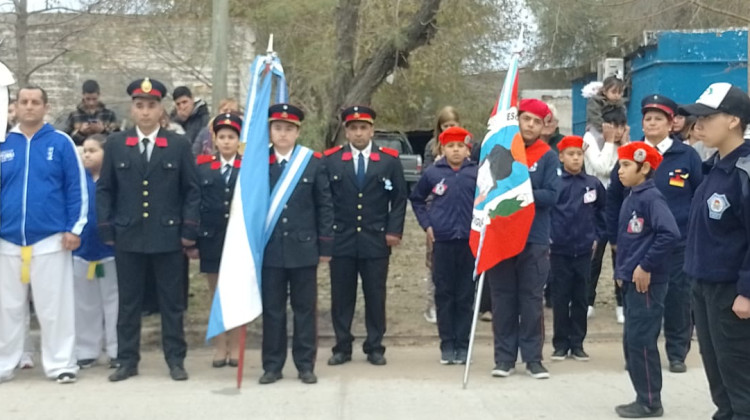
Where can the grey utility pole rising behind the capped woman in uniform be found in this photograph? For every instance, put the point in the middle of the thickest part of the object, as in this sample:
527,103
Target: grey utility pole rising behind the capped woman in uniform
219,45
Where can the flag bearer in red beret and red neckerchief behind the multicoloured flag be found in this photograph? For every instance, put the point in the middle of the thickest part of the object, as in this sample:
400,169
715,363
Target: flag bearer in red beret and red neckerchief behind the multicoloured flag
517,284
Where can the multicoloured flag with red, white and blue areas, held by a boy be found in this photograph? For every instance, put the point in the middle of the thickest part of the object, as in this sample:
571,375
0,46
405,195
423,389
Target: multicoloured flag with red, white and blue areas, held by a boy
504,202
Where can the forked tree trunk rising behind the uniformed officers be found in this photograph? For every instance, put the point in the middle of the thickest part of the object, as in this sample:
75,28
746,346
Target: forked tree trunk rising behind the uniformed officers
357,88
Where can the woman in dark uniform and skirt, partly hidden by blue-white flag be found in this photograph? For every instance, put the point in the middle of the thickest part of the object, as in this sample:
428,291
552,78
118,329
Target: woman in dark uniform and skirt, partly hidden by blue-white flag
217,176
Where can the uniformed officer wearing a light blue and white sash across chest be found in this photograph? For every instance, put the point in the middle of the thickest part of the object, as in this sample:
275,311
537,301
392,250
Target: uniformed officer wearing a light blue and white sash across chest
302,237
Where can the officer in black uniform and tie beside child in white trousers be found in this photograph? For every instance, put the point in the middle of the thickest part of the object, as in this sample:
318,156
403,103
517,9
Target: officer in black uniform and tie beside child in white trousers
148,201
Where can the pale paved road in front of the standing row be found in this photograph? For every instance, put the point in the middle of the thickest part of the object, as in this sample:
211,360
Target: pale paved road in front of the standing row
412,386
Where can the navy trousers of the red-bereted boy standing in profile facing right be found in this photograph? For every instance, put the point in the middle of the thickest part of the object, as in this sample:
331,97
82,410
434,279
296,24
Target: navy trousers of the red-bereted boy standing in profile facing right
643,315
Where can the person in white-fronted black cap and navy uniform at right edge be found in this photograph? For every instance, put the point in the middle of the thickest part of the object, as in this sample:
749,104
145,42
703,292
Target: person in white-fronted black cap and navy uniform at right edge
717,256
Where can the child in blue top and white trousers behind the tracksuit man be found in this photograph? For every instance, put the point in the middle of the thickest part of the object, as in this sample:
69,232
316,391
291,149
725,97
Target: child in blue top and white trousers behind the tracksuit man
94,275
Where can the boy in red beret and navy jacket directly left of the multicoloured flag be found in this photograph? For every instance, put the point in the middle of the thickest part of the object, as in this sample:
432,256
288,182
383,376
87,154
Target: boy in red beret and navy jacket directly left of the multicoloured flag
452,183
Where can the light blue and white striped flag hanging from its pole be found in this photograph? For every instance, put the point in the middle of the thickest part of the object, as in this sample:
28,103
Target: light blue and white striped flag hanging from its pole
238,300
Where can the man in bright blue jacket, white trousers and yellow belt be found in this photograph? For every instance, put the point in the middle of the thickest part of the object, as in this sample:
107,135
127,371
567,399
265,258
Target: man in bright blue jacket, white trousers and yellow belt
43,209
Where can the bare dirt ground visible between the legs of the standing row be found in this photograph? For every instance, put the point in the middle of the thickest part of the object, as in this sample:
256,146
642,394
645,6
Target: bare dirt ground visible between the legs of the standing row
405,300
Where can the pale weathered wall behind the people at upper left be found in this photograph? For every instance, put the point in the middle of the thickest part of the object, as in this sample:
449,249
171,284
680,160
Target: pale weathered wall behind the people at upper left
114,50
